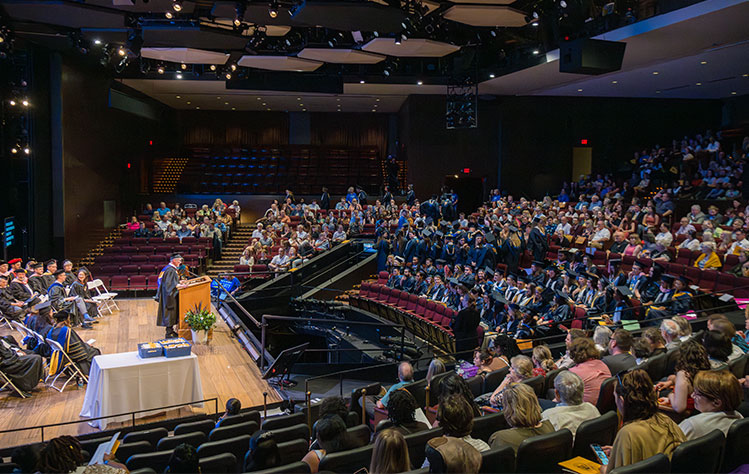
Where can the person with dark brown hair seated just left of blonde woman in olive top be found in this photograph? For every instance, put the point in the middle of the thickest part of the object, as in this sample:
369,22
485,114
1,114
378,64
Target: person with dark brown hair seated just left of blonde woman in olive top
456,420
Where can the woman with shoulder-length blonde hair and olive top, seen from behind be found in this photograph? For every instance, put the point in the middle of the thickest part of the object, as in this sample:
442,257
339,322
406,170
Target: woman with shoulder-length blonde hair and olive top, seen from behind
523,413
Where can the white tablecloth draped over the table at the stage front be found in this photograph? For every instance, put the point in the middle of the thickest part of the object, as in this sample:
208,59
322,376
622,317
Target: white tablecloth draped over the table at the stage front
119,383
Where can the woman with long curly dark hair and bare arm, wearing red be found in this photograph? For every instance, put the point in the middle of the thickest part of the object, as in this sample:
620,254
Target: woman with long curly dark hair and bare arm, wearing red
691,359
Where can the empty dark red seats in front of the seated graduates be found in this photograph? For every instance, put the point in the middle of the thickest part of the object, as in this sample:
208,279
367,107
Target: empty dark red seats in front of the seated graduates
423,317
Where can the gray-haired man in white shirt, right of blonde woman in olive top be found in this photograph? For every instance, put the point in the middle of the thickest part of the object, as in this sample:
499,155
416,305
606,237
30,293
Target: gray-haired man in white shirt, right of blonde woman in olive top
571,410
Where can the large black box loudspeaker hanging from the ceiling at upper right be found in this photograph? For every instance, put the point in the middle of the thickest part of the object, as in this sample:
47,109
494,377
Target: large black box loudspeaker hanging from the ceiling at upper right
589,56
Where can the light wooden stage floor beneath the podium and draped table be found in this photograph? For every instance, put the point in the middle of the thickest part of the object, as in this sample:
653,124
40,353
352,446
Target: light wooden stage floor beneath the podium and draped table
226,371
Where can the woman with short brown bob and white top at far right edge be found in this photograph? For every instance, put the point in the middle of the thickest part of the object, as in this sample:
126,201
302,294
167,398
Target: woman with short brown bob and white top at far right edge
717,395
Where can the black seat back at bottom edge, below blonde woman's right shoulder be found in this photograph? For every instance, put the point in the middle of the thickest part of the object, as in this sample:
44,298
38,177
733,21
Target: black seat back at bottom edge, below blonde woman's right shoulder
543,453
